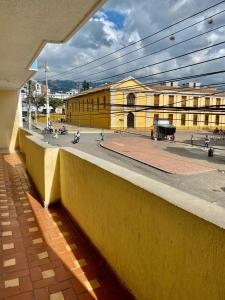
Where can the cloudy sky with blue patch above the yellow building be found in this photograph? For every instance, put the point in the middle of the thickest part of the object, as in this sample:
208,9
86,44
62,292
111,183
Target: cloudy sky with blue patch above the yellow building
119,23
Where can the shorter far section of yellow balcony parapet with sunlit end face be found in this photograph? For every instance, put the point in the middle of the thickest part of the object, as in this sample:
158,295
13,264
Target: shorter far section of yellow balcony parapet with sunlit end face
42,163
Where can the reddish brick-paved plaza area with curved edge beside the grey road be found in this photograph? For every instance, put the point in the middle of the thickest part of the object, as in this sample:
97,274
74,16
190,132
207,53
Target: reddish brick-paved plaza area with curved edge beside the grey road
146,151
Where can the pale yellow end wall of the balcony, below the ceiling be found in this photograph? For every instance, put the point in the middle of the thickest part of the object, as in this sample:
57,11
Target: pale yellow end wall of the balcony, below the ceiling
9,121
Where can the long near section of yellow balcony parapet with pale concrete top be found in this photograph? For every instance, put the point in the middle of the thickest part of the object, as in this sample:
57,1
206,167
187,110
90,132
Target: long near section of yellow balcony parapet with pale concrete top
157,239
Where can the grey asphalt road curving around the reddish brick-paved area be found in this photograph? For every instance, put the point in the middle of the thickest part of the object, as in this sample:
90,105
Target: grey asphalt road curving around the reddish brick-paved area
209,186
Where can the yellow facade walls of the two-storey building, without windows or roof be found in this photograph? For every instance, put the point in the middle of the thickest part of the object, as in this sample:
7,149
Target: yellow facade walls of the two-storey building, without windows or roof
143,120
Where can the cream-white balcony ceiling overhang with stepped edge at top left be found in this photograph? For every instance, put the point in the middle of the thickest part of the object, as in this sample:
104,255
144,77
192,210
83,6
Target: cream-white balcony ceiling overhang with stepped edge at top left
27,25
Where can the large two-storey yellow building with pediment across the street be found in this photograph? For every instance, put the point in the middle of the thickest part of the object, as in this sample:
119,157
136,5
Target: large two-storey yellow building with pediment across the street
131,104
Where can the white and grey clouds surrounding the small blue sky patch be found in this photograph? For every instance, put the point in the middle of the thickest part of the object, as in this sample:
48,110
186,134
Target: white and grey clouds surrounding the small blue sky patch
101,36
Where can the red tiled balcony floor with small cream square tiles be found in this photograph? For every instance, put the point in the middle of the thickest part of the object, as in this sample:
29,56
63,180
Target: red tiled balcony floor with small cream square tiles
41,255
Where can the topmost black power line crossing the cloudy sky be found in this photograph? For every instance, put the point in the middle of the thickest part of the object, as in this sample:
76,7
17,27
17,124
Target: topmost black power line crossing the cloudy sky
142,39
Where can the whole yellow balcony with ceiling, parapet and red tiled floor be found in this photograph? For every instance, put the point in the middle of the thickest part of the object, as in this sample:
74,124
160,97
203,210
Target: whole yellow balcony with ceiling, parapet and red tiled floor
73,226
